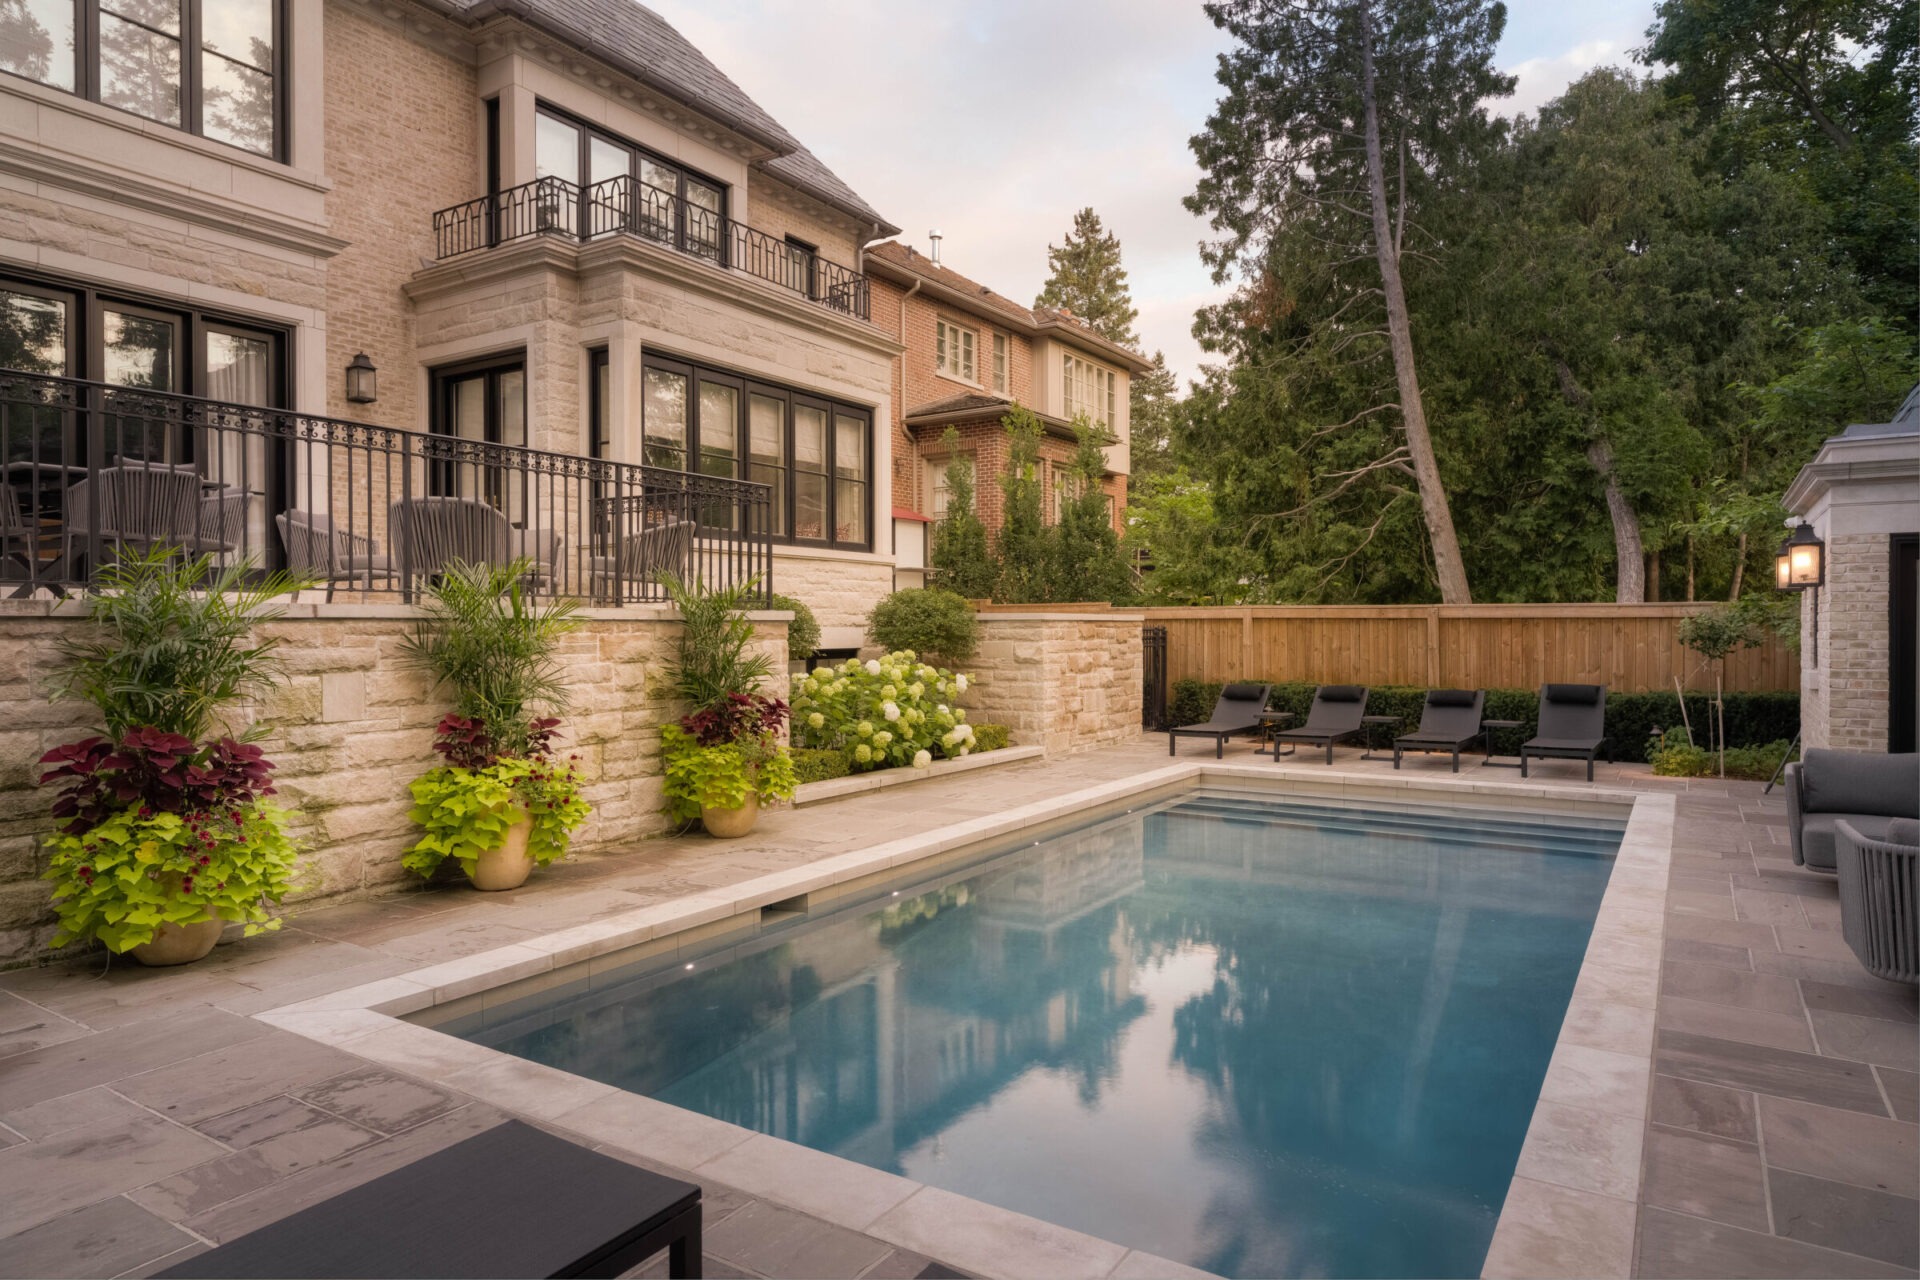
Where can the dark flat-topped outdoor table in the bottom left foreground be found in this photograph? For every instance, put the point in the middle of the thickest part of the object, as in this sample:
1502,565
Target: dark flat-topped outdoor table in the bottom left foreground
508,1202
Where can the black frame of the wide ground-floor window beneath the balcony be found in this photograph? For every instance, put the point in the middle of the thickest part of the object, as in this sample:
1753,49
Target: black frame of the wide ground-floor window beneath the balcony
698,371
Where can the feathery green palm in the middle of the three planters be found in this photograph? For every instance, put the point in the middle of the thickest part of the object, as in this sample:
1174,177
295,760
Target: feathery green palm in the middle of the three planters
485,638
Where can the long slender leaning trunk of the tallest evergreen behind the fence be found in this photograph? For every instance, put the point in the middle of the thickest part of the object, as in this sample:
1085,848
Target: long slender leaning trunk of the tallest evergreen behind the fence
1449,565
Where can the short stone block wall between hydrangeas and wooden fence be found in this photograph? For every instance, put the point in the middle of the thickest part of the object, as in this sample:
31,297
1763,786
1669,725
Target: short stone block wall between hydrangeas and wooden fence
1065,682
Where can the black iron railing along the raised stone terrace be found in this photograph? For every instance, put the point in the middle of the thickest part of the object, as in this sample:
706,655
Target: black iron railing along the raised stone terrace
93,471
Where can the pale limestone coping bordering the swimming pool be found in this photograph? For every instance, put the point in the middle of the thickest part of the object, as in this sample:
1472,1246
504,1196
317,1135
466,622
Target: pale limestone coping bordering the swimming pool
1577,1179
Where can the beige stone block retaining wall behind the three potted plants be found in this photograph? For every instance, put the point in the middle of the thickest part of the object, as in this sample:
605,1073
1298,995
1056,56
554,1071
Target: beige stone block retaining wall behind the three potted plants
350,728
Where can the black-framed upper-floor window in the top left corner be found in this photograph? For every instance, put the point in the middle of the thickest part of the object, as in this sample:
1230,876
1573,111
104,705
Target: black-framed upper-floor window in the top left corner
214,68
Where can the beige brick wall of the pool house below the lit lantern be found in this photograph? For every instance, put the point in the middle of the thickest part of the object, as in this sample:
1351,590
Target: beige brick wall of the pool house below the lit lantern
1846,705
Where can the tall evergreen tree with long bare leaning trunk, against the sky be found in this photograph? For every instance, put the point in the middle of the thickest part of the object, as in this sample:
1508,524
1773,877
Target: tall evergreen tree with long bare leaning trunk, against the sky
1339,118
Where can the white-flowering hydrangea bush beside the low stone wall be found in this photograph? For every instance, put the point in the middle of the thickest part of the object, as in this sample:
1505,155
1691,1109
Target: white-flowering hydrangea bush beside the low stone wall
884,713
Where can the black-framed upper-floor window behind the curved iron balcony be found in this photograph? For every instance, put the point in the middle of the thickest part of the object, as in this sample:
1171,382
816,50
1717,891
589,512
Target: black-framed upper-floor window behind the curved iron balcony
665,201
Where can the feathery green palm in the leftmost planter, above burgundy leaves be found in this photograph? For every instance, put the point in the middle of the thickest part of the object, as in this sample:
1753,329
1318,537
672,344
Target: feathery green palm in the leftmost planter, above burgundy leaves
170,642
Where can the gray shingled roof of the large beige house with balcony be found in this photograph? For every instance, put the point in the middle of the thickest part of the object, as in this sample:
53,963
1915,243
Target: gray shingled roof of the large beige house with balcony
636,41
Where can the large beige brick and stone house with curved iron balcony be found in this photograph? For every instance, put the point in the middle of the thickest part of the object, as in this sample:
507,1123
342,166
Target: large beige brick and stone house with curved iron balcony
235,201
